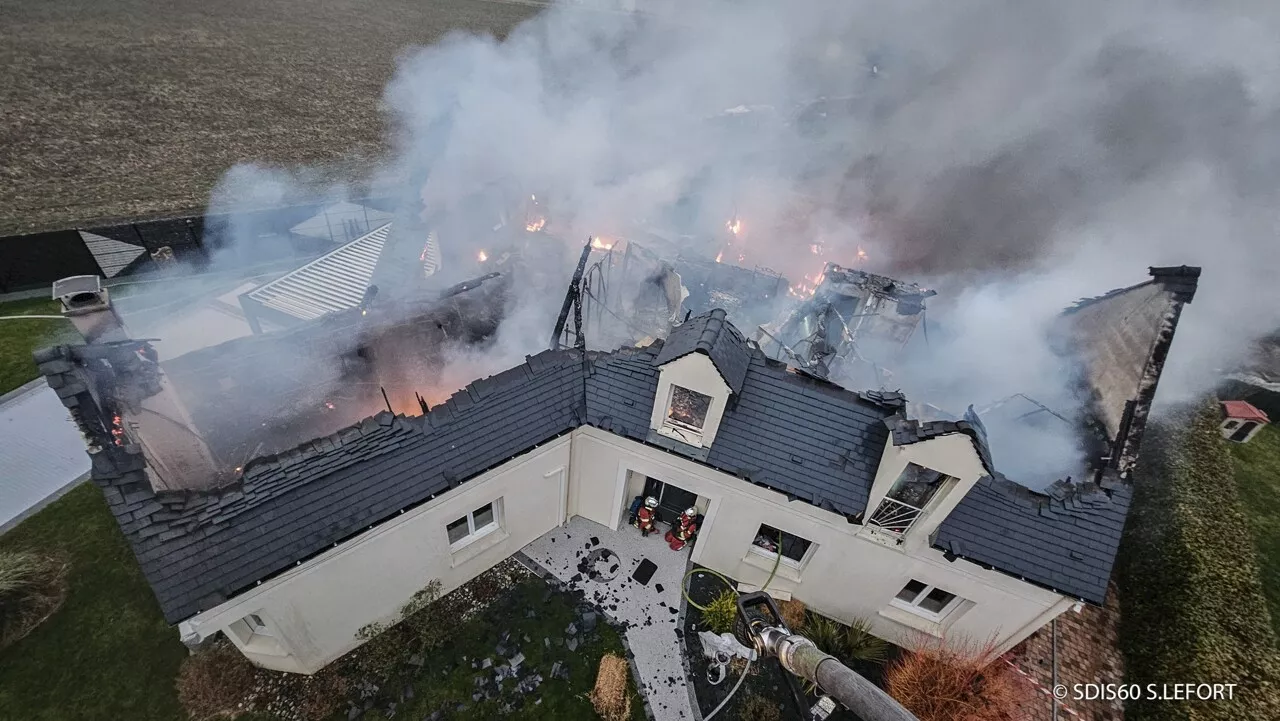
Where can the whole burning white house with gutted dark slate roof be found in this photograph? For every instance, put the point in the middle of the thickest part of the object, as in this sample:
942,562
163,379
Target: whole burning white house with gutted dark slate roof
332,524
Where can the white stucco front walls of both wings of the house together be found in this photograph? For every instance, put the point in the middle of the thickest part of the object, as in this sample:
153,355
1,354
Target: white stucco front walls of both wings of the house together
316,610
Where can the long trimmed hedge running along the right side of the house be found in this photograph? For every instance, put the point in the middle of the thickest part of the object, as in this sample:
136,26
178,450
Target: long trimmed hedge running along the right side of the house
1192,605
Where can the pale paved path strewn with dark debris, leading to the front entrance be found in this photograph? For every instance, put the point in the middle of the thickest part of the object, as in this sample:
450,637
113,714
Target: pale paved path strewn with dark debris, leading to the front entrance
652,610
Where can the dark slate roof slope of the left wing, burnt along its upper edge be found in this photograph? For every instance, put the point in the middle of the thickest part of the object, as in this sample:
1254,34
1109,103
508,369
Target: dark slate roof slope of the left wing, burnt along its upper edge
199,550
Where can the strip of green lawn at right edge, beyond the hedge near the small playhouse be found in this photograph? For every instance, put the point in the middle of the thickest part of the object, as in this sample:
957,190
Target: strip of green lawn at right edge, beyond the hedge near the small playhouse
1258,478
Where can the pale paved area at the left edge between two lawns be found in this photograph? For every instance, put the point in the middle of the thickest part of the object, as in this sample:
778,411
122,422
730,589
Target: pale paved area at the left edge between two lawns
42,451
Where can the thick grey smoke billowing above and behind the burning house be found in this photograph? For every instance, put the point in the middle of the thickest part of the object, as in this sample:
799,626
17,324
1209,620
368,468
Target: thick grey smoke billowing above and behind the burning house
1014,156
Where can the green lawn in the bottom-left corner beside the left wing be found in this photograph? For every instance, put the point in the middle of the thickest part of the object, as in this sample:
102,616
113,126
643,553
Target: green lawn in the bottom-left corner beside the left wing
107,654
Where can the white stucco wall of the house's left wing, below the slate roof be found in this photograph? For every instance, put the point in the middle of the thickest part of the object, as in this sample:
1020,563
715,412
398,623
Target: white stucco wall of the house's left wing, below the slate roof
316,610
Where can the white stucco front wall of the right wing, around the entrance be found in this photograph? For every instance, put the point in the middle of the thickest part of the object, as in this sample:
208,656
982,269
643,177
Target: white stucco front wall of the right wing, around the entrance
844,577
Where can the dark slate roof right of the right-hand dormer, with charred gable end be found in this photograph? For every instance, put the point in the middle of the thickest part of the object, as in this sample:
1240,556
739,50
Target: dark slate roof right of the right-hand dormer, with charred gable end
1067,539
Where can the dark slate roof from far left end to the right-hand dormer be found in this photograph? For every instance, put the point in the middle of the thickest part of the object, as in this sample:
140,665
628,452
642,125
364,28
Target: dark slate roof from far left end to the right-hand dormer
801,436
